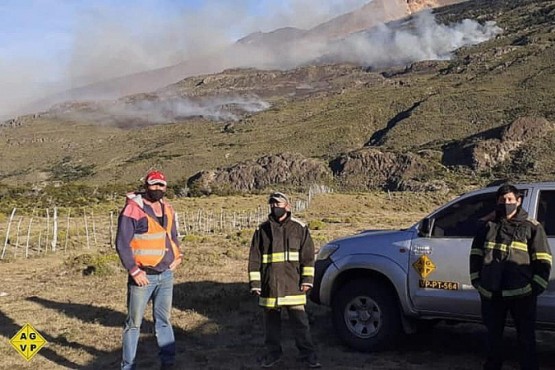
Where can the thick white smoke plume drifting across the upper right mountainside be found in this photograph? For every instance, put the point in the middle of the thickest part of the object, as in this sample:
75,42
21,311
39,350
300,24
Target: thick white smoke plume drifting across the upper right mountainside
385,45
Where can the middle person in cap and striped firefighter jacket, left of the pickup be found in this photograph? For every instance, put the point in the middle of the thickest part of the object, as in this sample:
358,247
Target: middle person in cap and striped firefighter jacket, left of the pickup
281,271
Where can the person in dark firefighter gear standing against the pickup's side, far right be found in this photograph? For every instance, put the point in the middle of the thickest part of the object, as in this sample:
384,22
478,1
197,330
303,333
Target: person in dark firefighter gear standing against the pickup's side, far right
510,263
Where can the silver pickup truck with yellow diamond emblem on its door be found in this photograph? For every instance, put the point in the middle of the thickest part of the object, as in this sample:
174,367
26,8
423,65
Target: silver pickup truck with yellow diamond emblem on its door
381,283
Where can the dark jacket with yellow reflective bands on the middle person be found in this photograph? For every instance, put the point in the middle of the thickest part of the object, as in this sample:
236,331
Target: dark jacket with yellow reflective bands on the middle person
281,259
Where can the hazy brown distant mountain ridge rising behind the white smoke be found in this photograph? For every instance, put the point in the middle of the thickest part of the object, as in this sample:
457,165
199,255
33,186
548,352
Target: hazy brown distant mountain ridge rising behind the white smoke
247,52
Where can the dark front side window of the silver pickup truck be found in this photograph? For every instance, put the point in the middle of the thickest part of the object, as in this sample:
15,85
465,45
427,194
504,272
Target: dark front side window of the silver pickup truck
462,218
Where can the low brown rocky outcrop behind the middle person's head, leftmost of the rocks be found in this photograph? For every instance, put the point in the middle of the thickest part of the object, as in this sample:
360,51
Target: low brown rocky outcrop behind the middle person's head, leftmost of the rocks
281,169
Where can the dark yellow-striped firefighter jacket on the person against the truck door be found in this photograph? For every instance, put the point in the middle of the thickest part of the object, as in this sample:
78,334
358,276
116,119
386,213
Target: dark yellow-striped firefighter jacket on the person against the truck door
510,258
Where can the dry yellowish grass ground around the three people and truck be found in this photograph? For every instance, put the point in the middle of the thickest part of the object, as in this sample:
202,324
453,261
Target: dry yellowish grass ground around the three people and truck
217,323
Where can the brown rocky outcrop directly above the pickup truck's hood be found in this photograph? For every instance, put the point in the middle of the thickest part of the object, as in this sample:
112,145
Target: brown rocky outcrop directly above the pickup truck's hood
371,168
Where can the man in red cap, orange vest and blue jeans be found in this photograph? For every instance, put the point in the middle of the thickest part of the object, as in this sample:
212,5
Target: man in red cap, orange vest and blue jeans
148,247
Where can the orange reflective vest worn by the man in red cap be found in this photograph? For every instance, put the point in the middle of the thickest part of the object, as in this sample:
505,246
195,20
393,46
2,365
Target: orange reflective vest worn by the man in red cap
149,248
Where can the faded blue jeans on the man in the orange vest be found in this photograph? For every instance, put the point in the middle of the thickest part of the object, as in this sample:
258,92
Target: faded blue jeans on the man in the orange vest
160,290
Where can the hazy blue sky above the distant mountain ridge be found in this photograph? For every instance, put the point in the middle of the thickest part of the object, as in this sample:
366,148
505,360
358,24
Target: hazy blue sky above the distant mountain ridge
47,46
